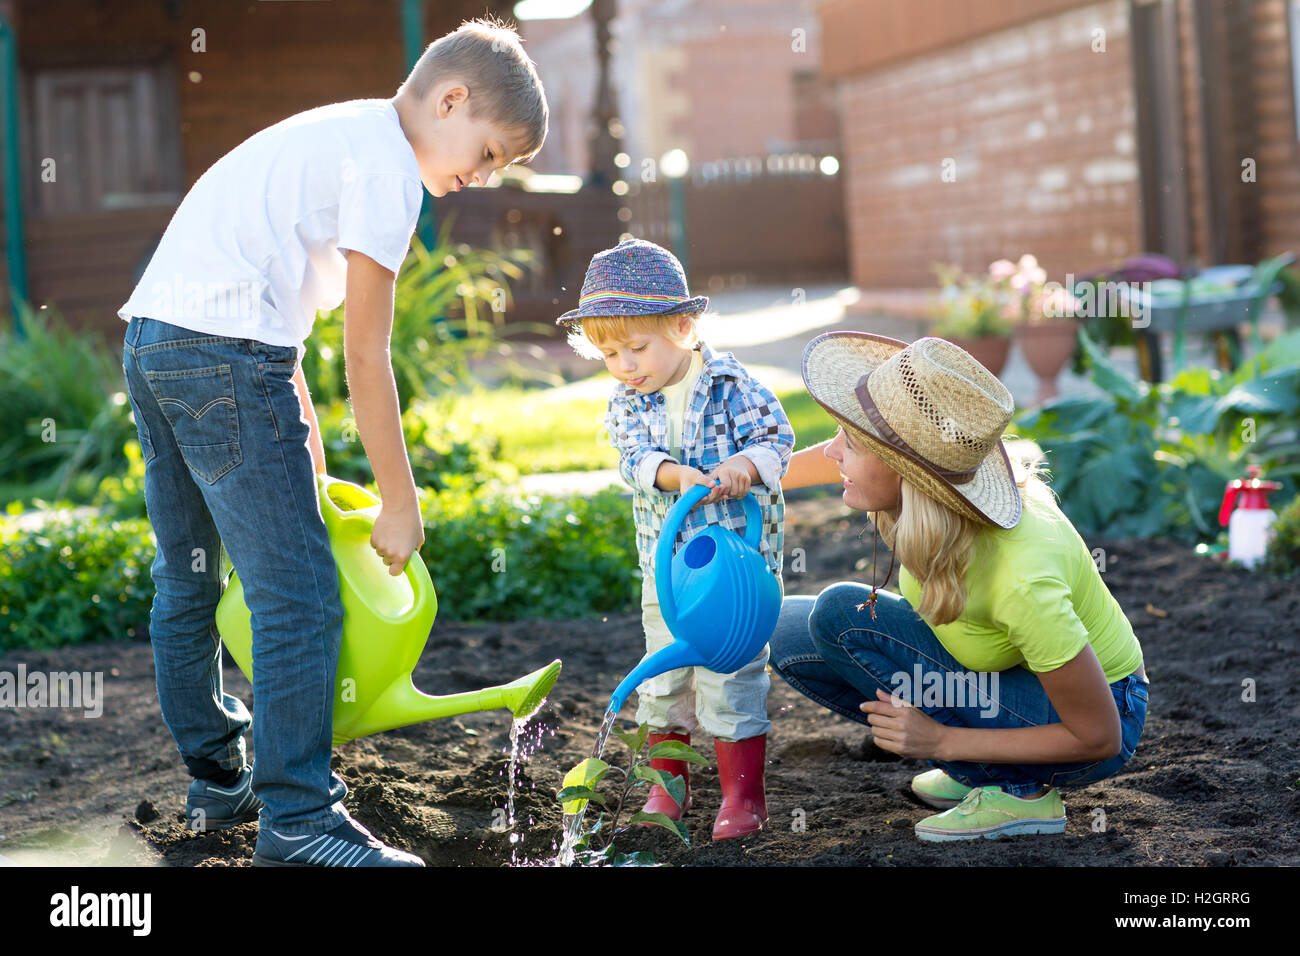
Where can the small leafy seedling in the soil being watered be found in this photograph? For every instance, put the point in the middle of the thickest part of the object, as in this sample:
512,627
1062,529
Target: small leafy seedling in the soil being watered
596,845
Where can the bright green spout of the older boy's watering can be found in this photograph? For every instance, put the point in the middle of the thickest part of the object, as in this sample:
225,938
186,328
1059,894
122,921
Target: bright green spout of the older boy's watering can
404,704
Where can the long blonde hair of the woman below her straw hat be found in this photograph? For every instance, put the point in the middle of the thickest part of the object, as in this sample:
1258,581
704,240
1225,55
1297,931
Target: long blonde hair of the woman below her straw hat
935,543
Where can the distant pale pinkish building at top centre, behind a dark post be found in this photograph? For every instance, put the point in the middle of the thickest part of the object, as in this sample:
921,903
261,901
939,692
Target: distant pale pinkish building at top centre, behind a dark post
718,79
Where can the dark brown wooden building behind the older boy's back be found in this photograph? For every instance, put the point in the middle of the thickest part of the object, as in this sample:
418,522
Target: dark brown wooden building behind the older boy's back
123,105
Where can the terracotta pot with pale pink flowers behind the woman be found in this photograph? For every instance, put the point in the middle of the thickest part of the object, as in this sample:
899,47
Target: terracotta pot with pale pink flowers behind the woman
1046,330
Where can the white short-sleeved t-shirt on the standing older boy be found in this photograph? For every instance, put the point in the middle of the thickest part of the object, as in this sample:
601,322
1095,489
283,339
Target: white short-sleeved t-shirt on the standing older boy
255,248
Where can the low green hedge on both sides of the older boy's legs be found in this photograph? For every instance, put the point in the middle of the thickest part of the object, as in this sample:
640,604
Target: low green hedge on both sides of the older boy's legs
493,556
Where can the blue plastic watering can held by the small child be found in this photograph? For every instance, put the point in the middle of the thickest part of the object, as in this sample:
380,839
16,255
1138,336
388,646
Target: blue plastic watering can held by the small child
717,595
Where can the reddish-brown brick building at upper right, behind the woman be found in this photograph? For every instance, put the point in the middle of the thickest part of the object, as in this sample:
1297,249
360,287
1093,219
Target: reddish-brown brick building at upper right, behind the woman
1080,132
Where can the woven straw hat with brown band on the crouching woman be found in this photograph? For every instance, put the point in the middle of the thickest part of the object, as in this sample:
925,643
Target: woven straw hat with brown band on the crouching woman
929,410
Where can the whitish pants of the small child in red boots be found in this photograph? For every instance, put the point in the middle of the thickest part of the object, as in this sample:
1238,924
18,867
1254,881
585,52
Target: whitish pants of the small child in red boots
729,707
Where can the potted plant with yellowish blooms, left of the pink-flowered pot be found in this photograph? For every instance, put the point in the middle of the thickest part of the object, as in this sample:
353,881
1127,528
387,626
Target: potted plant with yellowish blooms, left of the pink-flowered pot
974,313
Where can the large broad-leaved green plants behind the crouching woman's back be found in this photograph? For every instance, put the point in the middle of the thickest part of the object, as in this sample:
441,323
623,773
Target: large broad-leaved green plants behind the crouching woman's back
1150,461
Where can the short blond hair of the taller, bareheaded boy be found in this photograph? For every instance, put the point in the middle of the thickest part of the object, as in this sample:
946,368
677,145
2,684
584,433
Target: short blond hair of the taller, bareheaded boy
505,89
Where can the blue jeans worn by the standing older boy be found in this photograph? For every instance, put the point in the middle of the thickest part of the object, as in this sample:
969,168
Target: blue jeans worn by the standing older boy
227,462
